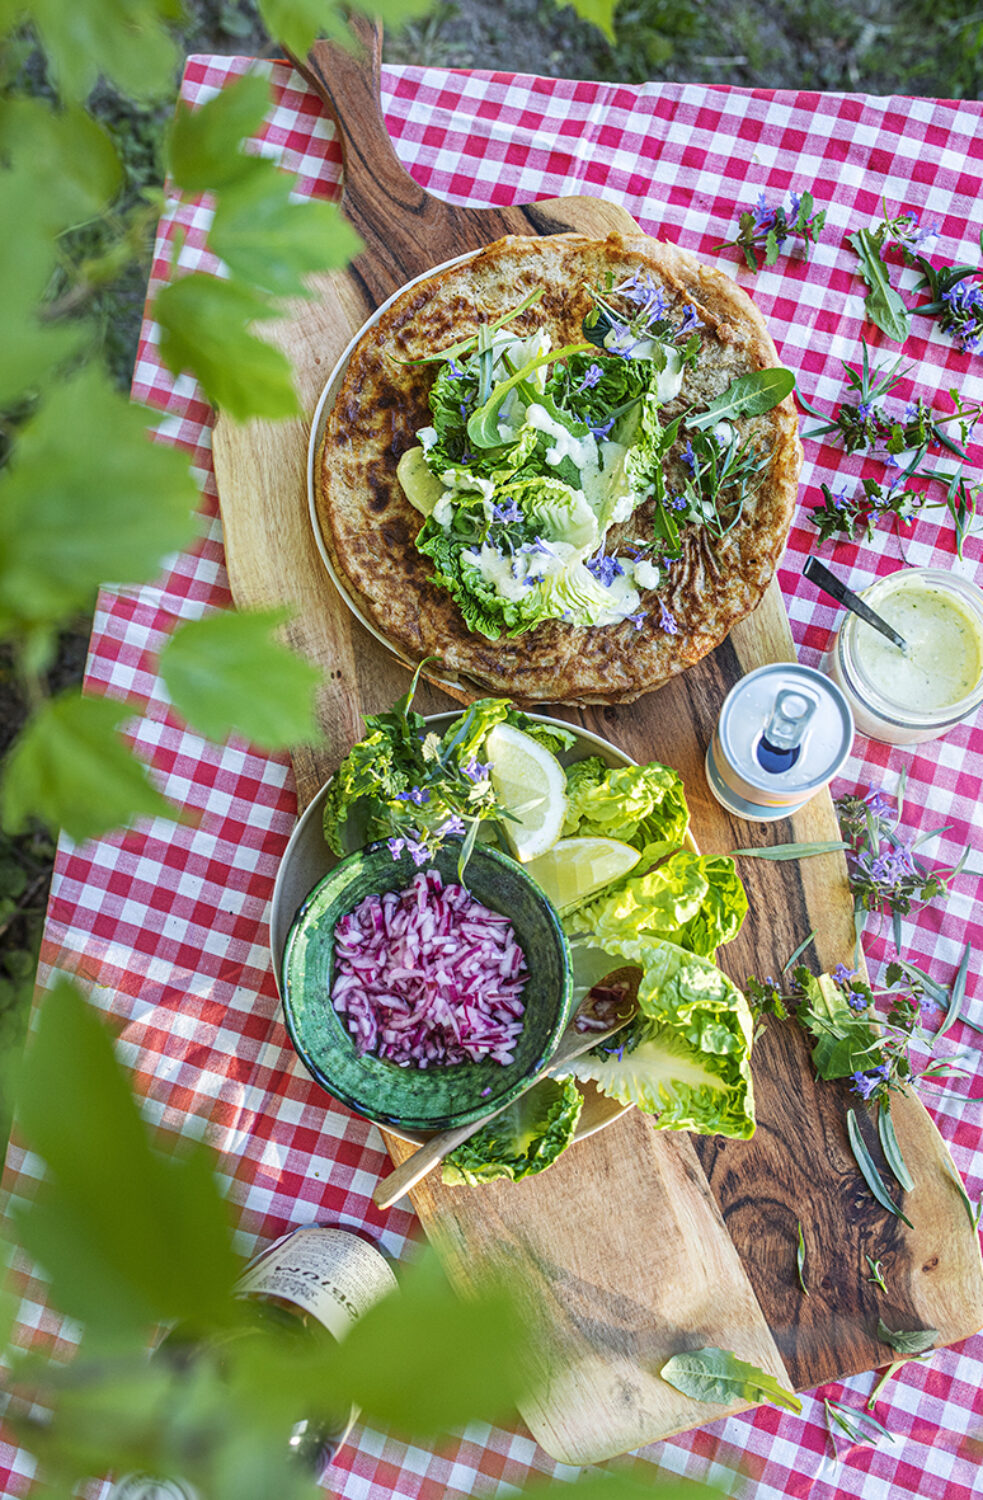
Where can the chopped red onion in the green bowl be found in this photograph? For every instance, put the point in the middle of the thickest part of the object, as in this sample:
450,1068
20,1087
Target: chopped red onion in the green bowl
430,977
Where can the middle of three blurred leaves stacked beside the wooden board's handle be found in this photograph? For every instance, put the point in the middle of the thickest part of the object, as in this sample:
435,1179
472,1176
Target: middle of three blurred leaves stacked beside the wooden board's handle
272,242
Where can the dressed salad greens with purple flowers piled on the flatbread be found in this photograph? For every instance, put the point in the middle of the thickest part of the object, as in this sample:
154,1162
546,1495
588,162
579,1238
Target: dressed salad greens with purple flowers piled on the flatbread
535,455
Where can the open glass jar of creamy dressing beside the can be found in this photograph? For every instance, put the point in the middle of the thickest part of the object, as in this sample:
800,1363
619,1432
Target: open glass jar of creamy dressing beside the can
904,698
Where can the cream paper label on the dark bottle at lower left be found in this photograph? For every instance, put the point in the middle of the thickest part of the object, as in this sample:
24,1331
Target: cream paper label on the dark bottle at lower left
329,1273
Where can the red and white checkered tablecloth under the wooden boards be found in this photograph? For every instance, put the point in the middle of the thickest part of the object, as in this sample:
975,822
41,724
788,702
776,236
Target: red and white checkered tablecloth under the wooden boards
169,926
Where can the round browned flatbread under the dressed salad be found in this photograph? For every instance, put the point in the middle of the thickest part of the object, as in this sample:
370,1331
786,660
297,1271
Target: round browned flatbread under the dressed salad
370,526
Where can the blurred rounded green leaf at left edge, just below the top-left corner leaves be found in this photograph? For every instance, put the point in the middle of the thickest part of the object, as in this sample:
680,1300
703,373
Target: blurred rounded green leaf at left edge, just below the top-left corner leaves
73,163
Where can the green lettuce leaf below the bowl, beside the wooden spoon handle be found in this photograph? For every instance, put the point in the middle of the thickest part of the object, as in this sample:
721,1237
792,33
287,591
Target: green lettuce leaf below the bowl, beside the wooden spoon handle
522,1141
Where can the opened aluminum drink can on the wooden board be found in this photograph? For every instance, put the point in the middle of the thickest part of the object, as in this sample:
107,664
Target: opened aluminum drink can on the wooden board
783,736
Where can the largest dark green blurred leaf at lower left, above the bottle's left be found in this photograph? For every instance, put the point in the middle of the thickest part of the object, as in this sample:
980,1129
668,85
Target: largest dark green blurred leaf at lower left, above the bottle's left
128,1237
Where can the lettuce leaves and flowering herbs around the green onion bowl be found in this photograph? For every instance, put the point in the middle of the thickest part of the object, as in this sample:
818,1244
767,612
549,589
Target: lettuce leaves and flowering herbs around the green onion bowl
685,1057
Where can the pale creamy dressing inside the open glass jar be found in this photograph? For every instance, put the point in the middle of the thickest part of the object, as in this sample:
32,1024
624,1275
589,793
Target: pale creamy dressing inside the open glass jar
945,656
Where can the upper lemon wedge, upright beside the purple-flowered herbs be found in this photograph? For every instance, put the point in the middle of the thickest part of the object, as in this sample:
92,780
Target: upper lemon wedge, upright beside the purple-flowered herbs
531,784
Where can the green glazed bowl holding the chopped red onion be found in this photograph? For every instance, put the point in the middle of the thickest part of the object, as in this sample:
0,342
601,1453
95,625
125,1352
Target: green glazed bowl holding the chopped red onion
422,1099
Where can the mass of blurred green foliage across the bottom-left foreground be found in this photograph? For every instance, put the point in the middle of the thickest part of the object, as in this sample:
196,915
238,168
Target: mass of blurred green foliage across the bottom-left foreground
131,1235
